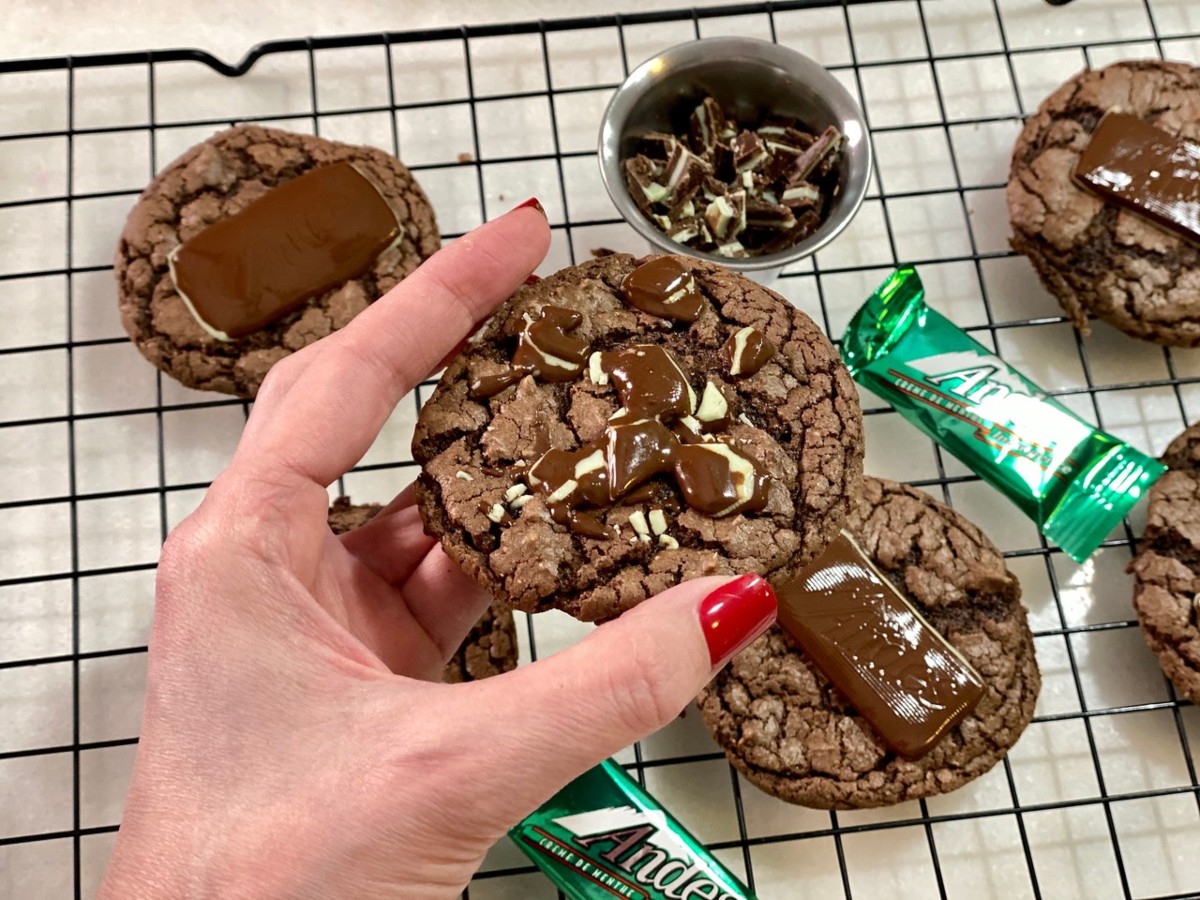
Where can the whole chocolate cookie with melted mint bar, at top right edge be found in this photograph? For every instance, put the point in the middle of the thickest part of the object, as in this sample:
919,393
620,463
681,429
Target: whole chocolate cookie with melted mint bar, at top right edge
1091,209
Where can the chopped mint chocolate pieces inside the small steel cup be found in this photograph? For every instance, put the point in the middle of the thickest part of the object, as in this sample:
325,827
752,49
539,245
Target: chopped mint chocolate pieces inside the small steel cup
736,189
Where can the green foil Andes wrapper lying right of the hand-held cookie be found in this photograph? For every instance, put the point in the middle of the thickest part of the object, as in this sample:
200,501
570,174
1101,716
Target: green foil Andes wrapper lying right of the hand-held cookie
1075,481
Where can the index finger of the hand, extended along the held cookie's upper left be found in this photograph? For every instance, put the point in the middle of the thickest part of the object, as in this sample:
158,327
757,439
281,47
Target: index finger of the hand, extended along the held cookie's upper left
328,417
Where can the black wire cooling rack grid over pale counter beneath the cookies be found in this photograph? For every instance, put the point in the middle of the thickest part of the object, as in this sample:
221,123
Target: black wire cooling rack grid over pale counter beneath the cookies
1101,796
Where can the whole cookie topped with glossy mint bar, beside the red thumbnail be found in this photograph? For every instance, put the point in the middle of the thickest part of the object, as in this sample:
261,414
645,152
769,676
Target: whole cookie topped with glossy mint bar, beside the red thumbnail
917,671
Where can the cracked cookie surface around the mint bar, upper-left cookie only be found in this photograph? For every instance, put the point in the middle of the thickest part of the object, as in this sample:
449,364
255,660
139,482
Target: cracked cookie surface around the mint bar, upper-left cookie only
215,181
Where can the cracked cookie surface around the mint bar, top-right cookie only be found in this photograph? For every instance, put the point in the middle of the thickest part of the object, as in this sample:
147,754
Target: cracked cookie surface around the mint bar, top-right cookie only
1090,255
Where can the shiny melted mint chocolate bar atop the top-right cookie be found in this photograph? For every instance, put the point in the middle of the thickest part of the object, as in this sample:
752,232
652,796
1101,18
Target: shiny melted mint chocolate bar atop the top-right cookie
1147,171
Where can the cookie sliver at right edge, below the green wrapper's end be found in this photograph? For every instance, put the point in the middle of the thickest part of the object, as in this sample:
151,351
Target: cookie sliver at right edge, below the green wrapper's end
1167,569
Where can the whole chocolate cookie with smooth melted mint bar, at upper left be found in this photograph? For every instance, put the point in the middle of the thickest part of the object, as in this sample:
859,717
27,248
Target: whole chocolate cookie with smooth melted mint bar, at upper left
259,243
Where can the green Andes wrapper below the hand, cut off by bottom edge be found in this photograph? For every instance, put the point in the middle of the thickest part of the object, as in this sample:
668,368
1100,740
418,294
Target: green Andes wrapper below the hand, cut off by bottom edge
603,837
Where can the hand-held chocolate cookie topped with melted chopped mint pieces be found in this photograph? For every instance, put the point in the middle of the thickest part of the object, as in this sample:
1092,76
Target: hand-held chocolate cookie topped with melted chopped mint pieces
791,411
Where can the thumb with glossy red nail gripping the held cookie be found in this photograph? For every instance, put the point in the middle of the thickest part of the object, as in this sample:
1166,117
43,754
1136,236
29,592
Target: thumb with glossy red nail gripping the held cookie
565,715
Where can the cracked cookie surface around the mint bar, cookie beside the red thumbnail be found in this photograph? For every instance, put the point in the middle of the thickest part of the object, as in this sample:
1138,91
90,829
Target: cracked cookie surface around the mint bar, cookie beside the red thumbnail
791,734
